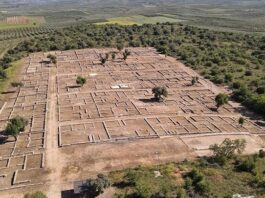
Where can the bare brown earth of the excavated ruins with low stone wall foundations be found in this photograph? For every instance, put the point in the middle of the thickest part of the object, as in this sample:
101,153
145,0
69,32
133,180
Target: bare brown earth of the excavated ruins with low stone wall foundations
110,123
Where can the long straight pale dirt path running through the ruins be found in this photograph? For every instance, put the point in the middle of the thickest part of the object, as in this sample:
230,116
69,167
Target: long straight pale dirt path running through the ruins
53,160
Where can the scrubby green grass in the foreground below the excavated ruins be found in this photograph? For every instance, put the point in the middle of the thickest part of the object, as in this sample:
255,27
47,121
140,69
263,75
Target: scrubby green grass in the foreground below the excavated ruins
222,181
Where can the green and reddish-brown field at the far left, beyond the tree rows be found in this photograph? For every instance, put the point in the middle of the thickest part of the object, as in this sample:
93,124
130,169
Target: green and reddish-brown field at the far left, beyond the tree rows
31,22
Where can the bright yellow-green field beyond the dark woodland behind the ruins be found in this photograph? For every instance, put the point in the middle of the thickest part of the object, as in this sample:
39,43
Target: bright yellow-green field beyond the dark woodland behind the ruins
139,20
